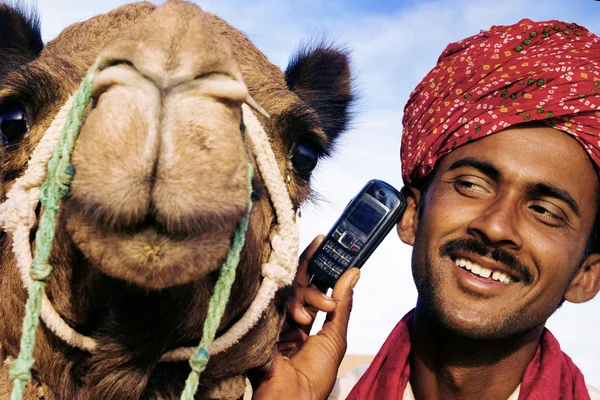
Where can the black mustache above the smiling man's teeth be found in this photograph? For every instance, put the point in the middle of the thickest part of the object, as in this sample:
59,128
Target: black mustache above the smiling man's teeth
497,254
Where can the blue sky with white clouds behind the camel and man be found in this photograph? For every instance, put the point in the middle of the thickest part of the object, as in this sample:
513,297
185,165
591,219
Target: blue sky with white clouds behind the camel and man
394,44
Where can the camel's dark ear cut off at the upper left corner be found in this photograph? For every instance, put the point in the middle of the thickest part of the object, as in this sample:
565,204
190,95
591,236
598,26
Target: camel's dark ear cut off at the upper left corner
20,37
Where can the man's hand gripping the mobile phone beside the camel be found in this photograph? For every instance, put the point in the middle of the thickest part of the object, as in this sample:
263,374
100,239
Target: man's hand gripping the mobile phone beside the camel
311,369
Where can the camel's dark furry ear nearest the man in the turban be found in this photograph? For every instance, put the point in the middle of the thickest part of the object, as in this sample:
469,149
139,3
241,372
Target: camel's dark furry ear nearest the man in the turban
320,76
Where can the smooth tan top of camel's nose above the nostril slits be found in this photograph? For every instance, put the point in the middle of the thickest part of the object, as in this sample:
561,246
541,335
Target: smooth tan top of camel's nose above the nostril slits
175,44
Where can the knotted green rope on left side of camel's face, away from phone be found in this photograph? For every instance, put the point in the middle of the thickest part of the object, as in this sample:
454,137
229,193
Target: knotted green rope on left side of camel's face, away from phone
56,186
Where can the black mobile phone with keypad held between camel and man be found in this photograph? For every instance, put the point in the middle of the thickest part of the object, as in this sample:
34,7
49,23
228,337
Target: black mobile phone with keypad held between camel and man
365,222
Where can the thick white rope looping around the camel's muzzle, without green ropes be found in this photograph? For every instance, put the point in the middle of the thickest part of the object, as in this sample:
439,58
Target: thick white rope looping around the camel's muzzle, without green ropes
17,216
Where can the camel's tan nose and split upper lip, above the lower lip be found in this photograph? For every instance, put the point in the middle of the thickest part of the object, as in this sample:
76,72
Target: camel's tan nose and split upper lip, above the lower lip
164,129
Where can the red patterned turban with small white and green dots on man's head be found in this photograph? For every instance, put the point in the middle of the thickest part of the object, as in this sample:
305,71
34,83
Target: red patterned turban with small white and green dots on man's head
531,71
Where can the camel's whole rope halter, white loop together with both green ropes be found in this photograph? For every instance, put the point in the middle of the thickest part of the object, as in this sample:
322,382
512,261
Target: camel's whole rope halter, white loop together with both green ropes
47,179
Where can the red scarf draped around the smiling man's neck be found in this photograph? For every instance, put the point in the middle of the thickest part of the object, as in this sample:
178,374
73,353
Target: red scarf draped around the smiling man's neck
550,375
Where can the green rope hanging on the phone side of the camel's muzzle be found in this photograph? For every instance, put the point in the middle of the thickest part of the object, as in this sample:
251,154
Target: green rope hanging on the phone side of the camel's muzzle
218,301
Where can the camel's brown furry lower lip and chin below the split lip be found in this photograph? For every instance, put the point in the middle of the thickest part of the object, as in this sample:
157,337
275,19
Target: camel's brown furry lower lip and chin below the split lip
151,254
